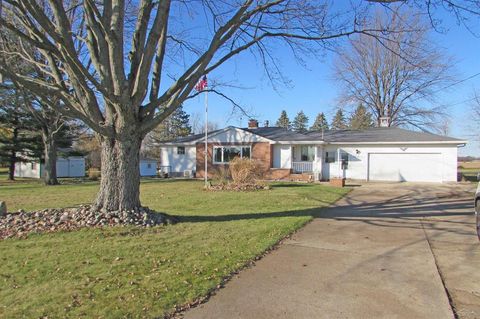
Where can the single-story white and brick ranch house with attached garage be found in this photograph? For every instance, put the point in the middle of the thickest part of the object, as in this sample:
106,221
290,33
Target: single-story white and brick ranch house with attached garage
376,154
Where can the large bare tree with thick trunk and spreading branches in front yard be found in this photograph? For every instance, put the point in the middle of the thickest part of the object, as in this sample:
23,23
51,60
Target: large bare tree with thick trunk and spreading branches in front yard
84,45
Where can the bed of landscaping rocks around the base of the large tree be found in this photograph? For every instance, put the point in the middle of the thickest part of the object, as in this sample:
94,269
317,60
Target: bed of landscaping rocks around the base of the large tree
21,223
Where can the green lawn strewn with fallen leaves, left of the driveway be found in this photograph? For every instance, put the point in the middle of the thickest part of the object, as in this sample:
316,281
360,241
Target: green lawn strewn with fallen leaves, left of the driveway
131,272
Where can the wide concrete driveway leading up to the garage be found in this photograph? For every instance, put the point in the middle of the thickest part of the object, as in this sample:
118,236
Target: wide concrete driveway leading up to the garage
384,251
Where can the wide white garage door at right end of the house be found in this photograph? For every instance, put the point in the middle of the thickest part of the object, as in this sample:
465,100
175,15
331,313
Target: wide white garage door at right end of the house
402,167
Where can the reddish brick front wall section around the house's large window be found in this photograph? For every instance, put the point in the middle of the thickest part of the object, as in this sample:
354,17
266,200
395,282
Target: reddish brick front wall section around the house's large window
260,151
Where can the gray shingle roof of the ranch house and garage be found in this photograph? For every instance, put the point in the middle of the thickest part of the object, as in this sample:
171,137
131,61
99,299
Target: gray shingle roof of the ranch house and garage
372,135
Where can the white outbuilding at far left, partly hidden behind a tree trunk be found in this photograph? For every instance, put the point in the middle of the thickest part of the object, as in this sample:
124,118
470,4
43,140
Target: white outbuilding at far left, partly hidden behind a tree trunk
71,166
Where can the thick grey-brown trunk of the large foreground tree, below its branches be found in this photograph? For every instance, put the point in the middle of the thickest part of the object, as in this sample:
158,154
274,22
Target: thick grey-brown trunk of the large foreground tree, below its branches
120,181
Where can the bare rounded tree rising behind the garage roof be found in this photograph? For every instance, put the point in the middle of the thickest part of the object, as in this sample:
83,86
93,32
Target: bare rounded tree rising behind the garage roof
397,76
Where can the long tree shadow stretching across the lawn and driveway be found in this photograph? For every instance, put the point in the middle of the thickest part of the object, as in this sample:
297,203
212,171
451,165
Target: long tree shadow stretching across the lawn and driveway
402,211
